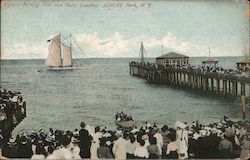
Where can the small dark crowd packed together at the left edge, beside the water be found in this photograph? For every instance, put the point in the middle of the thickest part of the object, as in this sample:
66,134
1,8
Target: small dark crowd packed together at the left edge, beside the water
11,109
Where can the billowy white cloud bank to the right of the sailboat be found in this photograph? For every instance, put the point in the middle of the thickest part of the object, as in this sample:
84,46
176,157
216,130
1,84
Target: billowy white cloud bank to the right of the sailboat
118,45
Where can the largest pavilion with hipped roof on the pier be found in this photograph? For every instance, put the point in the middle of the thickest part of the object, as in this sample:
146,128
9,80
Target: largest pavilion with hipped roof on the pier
172,58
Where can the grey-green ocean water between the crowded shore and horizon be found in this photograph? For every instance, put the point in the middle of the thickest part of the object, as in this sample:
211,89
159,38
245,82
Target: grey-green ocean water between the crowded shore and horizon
62,99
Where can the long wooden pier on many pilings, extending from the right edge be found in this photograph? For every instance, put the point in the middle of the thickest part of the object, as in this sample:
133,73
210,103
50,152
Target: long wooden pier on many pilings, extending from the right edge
225,84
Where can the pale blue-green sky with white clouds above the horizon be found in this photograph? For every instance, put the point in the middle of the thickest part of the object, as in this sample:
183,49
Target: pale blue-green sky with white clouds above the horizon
110,29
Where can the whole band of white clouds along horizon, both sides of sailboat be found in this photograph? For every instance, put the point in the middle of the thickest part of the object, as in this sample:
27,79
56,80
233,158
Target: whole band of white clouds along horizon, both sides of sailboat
116,45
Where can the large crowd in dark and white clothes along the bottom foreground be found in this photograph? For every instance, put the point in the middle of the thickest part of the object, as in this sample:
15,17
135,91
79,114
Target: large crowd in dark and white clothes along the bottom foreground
224,139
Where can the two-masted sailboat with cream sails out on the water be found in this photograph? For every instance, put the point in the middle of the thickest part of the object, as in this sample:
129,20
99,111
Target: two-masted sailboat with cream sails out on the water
60,53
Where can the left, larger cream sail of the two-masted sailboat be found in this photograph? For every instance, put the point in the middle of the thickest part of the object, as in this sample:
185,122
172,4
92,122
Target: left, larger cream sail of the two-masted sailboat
54,56
